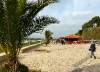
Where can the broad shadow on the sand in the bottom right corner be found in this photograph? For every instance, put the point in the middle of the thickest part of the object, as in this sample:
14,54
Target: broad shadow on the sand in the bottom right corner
92,68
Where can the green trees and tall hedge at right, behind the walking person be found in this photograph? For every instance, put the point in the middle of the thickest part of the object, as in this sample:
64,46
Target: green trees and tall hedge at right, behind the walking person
91,29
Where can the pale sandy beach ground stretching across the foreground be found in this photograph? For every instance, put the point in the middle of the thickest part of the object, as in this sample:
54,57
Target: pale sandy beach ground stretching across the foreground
62,58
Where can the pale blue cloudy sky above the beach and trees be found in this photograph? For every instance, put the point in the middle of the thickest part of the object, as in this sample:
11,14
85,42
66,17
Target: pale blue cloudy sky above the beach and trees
72,14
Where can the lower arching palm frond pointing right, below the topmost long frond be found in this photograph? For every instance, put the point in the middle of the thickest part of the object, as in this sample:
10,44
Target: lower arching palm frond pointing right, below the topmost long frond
38,23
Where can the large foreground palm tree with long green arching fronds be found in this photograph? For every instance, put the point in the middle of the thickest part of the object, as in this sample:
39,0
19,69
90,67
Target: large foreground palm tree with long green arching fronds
18,20
